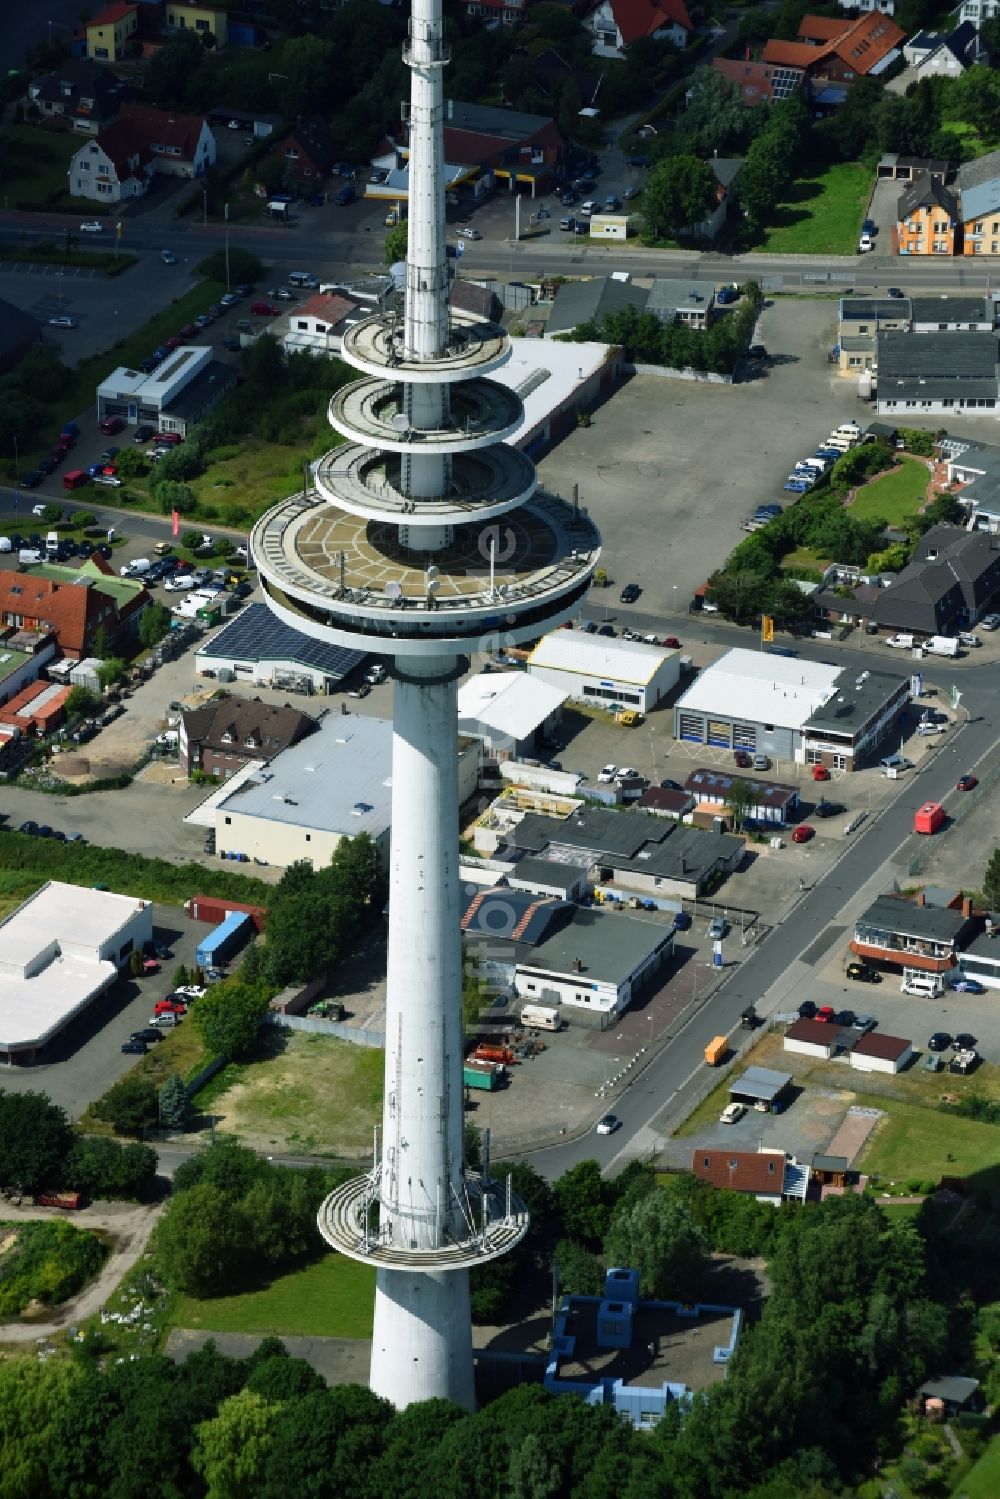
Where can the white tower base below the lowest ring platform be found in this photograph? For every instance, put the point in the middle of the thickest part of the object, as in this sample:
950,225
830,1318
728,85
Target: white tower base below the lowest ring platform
422,1342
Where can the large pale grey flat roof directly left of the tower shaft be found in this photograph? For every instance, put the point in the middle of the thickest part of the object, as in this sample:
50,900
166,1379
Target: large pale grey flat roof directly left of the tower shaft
338,780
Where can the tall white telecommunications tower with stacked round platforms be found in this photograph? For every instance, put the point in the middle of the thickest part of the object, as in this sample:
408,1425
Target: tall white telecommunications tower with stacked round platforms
421,539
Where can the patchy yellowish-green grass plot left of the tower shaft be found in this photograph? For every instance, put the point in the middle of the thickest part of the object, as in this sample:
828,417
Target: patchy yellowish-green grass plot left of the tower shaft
301,1092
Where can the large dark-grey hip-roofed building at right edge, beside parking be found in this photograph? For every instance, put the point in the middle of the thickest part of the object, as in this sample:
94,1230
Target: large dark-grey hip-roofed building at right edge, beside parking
951,582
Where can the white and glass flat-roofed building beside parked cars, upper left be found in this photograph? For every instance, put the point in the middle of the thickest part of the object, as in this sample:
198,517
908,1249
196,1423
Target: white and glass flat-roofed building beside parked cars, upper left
175,396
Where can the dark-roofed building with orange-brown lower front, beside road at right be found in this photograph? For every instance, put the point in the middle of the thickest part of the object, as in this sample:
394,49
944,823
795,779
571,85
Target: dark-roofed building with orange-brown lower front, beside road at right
911,935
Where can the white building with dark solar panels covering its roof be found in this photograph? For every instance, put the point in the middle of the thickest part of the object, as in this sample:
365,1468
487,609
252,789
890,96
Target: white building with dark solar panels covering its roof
260,650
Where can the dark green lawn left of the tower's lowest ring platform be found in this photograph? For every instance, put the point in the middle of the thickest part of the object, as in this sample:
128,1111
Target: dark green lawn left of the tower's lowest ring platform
334,1297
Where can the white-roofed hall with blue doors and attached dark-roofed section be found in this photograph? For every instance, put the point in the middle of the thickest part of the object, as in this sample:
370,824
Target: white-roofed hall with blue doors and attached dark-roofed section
792,710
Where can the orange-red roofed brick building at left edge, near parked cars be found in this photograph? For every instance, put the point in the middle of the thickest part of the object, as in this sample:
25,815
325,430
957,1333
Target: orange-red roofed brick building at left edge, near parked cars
76,605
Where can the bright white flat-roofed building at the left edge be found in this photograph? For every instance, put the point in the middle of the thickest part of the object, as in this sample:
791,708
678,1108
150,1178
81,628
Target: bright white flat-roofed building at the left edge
59,951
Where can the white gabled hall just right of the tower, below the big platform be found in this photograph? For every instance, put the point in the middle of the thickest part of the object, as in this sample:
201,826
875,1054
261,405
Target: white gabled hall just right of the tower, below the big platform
603,672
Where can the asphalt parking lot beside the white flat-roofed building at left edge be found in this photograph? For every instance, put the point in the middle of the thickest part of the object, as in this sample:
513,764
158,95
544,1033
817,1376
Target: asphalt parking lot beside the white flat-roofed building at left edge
86,1059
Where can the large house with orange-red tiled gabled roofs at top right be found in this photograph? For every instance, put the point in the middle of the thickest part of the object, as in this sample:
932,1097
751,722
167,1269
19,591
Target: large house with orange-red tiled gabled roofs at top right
836,53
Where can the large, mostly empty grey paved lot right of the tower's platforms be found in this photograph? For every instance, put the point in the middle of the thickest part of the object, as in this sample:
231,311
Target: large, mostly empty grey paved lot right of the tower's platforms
671,468
